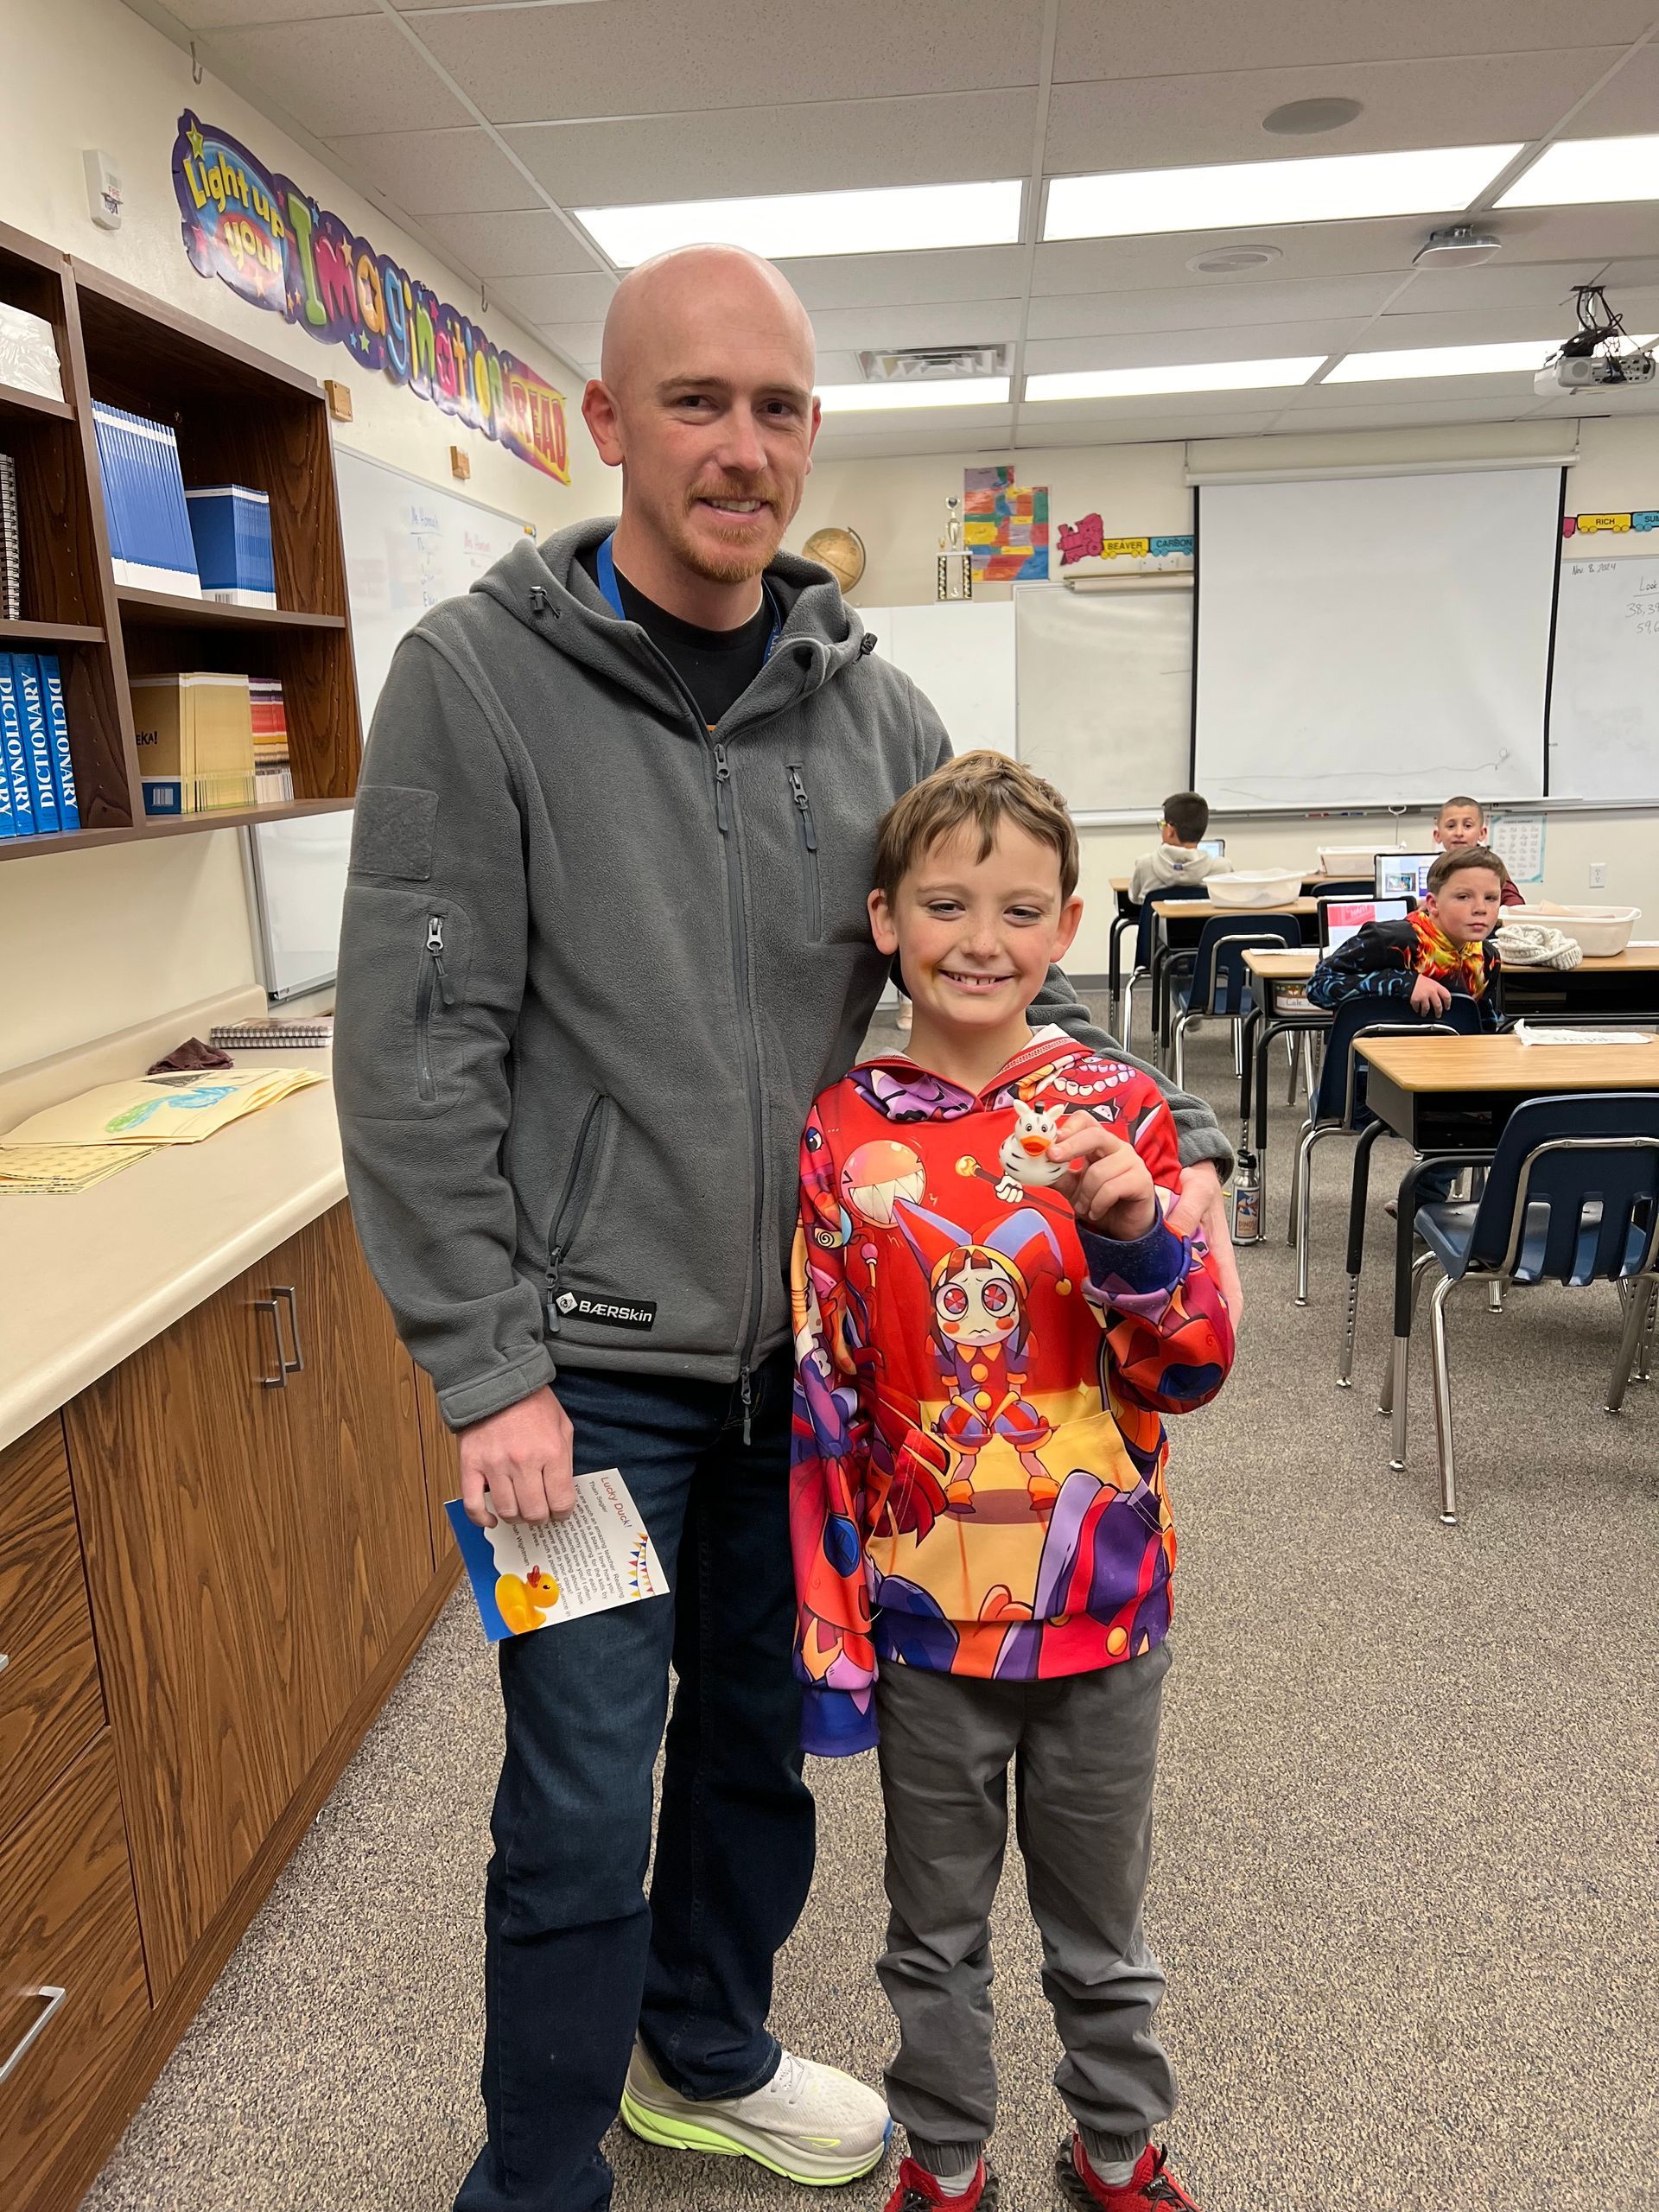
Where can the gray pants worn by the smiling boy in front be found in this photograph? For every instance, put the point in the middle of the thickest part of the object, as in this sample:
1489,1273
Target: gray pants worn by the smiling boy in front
1085,1755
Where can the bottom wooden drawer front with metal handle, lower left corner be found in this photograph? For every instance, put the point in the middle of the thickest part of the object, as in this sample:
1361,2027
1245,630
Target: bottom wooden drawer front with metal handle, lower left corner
72,1972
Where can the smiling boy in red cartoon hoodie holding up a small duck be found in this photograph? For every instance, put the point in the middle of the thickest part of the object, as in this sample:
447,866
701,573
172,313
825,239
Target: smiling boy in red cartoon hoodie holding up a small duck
990,1322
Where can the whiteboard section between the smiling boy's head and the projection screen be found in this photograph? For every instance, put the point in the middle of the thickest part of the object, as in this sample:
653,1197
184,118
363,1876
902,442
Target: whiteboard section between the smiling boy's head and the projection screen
1105,687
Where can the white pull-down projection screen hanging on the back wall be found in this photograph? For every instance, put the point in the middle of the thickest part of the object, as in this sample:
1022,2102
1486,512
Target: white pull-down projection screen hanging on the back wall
1375,640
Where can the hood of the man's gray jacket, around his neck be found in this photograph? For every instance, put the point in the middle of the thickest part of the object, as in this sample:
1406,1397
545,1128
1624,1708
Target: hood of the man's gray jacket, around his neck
552,594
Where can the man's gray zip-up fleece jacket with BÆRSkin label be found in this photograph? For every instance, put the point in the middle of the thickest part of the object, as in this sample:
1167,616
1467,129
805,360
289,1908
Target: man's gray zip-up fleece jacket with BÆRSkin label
596,966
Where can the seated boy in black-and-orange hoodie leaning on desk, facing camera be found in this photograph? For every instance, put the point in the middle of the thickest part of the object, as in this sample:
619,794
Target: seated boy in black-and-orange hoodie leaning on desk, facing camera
1434,952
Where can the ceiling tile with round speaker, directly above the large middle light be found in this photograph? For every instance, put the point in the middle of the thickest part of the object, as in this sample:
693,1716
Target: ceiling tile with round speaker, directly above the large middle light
1171,123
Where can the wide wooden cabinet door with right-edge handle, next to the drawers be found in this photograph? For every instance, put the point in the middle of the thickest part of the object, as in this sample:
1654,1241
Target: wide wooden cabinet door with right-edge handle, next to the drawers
200,1567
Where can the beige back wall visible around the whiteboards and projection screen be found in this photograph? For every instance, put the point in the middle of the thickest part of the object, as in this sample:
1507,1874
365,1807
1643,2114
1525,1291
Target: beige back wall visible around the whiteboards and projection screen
1138,490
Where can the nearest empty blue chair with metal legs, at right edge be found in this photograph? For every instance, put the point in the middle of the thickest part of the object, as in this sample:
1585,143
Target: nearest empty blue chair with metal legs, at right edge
1572,1198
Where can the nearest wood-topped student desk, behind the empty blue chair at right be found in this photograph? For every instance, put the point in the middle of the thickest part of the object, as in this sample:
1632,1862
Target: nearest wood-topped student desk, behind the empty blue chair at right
1457,1096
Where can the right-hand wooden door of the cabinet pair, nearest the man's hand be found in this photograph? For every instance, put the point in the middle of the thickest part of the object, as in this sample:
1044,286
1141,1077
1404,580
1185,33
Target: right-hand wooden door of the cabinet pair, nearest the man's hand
357,1450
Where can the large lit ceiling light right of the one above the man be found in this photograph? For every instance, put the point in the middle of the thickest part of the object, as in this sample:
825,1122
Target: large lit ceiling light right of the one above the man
1322,189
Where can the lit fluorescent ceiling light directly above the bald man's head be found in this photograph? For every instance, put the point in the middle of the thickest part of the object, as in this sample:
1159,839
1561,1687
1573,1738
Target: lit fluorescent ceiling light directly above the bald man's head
789,227
